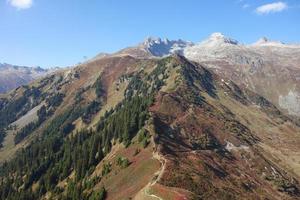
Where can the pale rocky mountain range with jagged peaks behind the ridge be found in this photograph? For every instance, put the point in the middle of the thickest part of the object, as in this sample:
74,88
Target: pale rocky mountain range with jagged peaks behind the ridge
270,68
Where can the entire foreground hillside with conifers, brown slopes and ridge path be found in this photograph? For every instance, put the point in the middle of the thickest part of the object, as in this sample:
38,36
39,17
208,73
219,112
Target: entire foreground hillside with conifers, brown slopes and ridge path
122,127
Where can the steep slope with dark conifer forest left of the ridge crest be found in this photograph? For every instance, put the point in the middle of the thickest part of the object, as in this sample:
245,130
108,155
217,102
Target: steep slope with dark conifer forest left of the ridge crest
96,96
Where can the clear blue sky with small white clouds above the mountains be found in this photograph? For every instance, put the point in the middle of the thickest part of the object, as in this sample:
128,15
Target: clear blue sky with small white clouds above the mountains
50,33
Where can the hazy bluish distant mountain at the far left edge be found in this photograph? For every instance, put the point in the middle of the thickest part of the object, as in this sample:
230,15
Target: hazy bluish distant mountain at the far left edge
12,76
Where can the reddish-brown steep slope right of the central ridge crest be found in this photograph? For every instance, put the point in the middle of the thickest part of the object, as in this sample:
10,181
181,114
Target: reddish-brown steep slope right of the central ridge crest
223,142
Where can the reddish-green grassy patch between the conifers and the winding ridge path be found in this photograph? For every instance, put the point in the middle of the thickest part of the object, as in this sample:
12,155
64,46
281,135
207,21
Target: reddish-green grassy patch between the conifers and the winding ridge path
126,183
